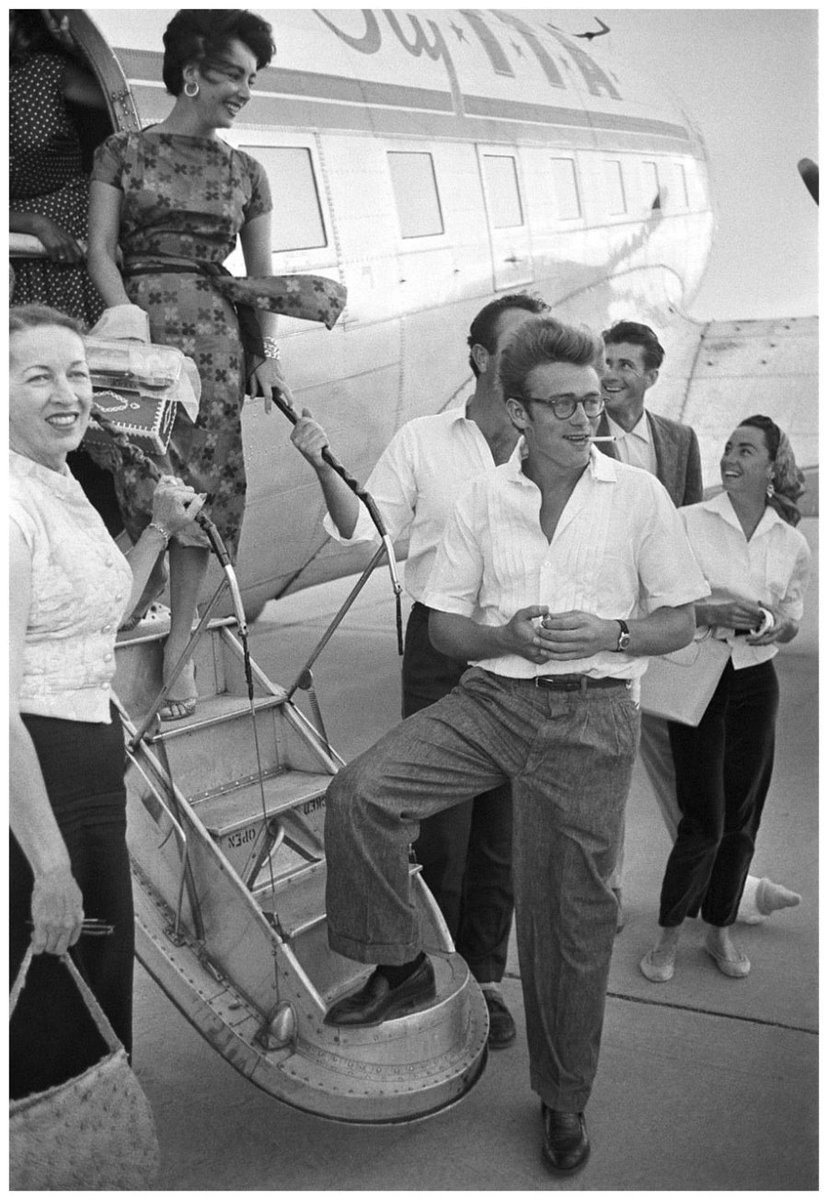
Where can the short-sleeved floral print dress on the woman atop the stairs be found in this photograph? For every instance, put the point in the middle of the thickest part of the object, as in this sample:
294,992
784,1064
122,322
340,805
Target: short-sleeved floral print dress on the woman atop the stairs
184,201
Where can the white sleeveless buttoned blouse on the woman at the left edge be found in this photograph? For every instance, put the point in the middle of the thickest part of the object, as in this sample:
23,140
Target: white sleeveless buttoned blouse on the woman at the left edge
81,585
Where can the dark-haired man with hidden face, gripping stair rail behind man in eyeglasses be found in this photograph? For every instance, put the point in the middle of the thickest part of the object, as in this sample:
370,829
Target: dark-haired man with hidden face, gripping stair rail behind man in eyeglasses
465,851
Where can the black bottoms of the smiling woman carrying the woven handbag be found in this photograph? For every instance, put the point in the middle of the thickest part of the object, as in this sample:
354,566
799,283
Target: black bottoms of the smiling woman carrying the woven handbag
52,1035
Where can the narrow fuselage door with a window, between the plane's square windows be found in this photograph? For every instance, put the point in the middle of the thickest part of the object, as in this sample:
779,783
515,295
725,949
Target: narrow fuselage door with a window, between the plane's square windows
511,244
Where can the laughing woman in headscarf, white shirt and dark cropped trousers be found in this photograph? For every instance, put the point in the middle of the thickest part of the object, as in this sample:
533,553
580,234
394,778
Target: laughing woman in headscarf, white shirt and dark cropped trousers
757,566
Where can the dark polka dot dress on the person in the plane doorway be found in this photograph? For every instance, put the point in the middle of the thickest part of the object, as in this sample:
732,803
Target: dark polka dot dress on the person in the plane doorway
46,177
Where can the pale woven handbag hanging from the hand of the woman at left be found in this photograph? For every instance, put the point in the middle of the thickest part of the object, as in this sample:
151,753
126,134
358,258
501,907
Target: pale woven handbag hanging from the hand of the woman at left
93,1132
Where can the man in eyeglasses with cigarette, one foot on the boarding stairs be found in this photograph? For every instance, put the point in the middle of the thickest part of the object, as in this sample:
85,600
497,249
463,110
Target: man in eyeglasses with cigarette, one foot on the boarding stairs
543,563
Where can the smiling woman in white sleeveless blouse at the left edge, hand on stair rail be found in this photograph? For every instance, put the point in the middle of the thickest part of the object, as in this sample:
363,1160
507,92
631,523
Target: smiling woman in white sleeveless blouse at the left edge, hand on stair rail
70,589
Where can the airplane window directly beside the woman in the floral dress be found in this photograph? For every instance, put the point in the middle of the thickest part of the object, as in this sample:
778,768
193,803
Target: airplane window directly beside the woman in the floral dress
297,220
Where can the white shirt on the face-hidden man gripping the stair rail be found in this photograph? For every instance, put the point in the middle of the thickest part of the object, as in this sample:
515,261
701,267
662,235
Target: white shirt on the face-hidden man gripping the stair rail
416,484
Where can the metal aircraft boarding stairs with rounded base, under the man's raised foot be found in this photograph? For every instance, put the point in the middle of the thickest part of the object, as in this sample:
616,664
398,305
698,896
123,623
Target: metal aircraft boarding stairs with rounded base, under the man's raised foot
226,817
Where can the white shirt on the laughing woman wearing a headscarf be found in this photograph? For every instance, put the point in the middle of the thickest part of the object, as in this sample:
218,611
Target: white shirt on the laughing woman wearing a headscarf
772,569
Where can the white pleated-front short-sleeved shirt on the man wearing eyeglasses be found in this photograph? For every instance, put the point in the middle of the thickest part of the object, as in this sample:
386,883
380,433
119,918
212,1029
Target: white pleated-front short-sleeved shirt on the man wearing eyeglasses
620,548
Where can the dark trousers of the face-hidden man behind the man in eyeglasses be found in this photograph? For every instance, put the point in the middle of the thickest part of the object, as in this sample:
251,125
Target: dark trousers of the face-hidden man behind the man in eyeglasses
465,851
